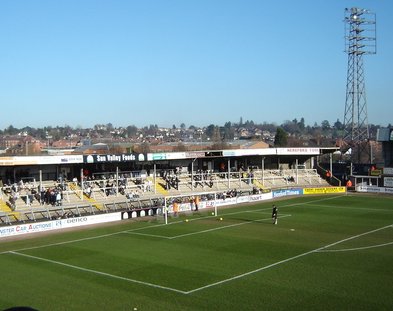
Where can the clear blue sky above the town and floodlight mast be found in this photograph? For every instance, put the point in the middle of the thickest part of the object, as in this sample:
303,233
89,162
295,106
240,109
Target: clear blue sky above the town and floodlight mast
198,62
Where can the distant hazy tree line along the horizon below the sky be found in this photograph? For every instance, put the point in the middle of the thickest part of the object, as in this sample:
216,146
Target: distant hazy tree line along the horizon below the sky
292,128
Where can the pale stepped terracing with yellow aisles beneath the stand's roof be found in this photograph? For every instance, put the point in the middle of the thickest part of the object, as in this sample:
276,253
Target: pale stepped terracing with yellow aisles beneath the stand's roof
27,201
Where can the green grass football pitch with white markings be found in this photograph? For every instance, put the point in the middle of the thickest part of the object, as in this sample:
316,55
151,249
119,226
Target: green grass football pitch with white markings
325,253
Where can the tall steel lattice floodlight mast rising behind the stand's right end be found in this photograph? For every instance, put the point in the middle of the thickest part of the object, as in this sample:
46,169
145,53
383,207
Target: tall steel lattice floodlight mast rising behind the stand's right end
360,39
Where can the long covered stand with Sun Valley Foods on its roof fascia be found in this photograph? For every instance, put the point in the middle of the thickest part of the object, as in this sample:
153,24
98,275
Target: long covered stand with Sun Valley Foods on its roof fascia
35,187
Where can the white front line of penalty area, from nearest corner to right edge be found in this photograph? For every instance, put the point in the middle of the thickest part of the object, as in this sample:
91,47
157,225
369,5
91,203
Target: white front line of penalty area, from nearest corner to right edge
283,261
